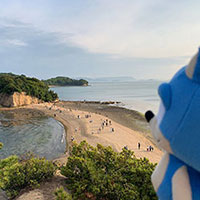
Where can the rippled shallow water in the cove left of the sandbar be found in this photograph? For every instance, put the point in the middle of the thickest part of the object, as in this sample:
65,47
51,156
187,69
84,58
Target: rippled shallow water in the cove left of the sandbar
43,136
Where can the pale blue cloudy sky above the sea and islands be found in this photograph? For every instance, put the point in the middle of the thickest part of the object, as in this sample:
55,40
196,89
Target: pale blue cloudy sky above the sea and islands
98,38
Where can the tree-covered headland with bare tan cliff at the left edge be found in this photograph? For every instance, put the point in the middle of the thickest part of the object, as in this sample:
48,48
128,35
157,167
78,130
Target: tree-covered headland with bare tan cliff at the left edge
17,90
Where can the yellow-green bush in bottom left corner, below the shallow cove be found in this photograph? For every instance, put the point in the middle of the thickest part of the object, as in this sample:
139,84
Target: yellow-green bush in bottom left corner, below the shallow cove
17,173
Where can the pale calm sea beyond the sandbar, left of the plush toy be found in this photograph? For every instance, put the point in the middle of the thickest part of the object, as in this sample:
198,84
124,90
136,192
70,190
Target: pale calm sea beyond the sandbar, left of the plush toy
136,95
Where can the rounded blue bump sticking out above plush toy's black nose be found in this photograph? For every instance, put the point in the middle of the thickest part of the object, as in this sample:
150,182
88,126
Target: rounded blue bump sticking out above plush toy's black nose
165,94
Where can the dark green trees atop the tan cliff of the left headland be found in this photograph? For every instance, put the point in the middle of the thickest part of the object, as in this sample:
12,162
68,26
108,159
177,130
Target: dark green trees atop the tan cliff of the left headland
10,83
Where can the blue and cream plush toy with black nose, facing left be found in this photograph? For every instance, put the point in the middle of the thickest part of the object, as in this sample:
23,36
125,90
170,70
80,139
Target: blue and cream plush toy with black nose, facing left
176,129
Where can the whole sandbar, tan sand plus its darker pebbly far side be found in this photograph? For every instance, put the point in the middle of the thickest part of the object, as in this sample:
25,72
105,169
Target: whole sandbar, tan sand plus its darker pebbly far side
130,126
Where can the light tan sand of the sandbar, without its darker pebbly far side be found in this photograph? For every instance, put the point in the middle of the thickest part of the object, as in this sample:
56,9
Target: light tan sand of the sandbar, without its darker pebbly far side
98,128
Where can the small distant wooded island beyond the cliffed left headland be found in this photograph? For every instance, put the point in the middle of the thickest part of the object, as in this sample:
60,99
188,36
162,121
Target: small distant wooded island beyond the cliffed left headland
65,81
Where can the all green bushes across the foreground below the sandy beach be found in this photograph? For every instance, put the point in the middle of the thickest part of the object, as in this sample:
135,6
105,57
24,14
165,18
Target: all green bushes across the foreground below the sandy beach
93,173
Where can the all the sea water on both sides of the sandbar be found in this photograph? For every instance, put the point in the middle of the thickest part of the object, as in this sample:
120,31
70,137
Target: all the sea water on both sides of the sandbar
45,136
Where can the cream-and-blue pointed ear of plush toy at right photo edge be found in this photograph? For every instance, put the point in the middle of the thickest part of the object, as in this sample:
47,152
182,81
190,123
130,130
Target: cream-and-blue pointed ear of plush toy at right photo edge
193,68
